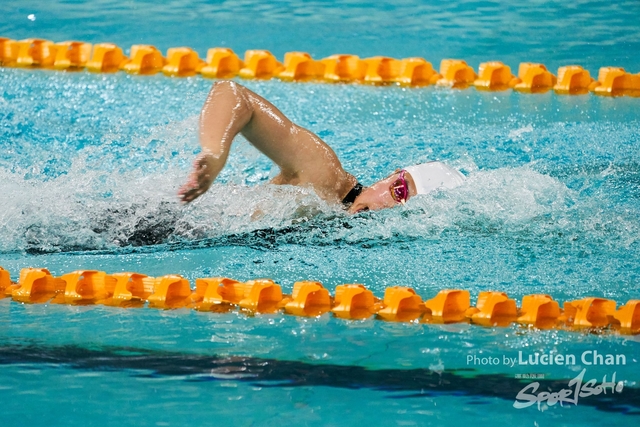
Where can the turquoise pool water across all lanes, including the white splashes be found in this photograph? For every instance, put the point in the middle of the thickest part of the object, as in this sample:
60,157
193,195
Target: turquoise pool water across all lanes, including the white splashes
90,165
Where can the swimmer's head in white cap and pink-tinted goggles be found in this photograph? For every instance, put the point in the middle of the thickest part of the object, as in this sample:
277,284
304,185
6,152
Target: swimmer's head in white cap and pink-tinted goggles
406,183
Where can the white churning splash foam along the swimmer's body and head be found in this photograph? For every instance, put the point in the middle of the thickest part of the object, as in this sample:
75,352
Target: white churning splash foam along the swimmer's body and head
100,209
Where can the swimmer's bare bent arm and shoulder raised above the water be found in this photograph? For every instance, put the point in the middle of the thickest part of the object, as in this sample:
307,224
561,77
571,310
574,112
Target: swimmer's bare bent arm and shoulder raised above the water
302,157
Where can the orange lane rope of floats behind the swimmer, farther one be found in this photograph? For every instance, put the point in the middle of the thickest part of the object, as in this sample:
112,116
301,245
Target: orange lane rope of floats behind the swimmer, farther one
223,63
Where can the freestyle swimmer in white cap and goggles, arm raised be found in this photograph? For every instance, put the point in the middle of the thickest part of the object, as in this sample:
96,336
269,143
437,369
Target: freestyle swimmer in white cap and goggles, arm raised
303,158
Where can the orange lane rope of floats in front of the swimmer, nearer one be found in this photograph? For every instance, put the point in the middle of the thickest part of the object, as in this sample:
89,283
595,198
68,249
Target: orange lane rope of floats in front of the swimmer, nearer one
309,299
